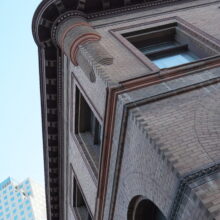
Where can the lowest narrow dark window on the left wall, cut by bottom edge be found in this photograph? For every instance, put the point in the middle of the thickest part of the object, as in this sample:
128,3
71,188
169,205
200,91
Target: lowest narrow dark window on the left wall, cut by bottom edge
79,204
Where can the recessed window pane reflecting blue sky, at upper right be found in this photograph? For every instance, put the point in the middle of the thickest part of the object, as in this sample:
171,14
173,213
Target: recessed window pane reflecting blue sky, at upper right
167,46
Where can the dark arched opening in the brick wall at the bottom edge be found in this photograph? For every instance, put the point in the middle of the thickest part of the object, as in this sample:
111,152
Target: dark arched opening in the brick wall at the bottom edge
141,208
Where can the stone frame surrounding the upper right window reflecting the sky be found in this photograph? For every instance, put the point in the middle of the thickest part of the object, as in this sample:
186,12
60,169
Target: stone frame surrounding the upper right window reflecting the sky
204,40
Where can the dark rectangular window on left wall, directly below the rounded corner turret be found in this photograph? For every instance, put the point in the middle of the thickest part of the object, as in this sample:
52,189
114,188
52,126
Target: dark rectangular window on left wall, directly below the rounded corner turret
88,129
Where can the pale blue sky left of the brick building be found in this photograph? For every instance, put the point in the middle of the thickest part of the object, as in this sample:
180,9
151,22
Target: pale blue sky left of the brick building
21,152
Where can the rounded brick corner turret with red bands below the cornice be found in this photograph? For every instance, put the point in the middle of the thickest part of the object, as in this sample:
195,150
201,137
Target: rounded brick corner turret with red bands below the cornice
80,42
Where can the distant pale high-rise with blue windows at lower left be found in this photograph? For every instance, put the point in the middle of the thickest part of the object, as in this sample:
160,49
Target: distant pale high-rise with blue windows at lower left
23,201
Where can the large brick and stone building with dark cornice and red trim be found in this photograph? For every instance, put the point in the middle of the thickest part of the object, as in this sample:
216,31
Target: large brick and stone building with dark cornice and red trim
130,108
